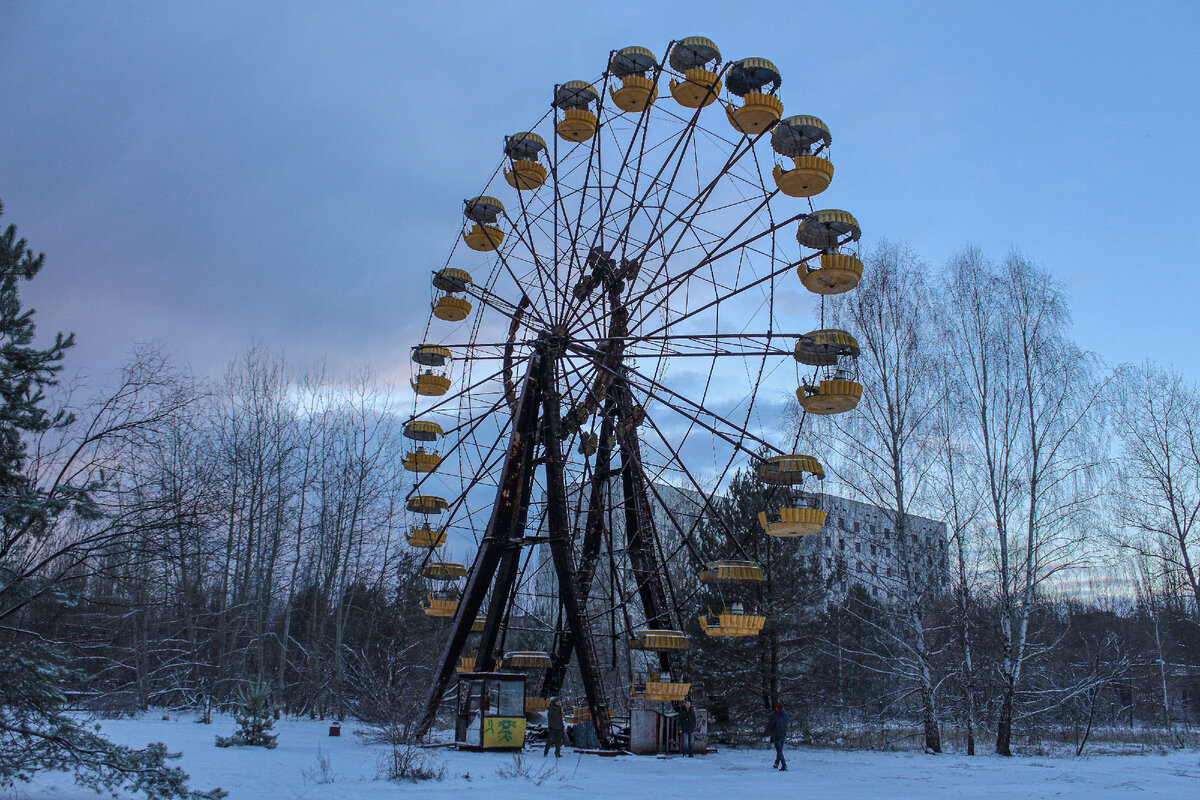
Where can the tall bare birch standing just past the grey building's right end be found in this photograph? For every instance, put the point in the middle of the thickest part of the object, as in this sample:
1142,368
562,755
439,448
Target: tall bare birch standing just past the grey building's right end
1035,400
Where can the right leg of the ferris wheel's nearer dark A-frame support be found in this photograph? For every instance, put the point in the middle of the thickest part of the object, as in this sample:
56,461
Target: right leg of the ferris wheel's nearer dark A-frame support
561,554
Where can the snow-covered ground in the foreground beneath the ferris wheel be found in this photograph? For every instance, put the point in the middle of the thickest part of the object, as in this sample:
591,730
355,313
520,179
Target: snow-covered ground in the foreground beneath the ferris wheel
291,772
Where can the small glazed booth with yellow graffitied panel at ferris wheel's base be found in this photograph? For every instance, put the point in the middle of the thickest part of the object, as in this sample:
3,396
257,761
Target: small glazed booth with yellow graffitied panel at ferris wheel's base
490,712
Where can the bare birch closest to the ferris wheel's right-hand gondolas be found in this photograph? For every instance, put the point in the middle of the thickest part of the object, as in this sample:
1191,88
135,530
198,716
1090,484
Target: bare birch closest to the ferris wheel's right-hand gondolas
885,454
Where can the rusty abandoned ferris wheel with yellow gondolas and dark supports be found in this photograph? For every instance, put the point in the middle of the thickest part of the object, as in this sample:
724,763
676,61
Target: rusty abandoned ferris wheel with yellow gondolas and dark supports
625,298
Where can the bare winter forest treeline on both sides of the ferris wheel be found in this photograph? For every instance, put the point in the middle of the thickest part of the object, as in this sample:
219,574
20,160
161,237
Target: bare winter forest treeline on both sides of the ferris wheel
209,534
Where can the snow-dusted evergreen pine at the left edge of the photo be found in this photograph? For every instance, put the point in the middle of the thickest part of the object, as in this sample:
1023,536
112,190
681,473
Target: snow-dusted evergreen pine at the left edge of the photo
37,732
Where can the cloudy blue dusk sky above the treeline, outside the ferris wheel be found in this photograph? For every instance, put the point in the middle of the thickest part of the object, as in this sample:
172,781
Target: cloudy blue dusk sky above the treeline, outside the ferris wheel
213,175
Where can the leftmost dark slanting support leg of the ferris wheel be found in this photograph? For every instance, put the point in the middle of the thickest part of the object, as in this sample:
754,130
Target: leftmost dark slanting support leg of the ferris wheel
505,527
